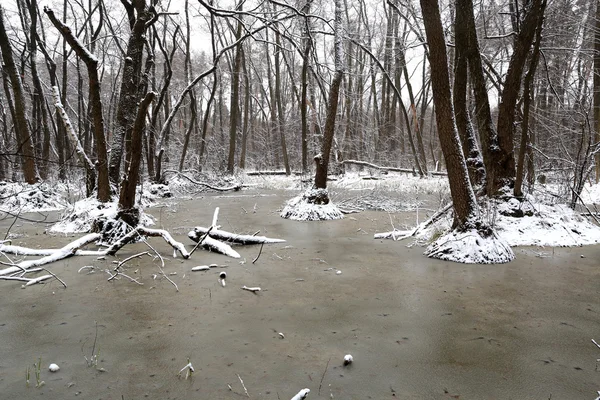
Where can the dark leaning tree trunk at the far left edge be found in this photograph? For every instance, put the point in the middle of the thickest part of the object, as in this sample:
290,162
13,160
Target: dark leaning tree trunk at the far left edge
23,133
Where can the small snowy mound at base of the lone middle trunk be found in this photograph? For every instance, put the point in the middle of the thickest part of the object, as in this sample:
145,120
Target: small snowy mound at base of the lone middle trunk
312,205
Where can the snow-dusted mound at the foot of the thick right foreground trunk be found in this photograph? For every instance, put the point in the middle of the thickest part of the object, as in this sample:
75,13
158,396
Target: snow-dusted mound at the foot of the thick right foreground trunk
470,247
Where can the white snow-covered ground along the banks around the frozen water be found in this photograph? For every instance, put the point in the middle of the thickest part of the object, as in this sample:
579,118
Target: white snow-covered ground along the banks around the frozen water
553,223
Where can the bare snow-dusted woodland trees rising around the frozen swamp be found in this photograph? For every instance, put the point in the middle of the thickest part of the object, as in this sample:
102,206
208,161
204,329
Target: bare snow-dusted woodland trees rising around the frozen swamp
502,98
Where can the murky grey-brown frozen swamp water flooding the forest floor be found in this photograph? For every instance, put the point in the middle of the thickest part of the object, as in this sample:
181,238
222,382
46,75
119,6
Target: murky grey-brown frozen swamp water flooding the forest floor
416,327
